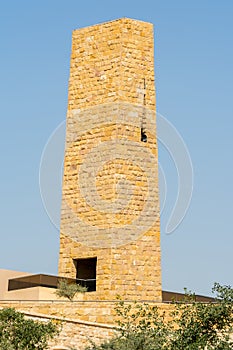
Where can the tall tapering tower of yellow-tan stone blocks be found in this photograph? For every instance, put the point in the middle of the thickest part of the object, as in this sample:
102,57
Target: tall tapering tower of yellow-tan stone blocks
110,224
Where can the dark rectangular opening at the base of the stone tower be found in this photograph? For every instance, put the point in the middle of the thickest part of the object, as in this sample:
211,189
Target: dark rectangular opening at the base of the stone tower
86,273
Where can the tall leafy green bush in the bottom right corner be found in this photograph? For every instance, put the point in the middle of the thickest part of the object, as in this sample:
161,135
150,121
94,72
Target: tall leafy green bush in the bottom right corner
204,326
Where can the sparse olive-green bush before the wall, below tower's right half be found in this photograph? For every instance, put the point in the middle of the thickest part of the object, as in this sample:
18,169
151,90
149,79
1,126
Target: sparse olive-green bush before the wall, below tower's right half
140,327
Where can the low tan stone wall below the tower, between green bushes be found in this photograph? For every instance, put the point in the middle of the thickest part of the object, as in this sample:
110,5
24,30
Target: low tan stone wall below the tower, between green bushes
79,321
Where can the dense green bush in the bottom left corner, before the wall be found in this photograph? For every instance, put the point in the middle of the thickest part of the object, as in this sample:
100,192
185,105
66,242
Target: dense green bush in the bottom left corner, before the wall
19,333
